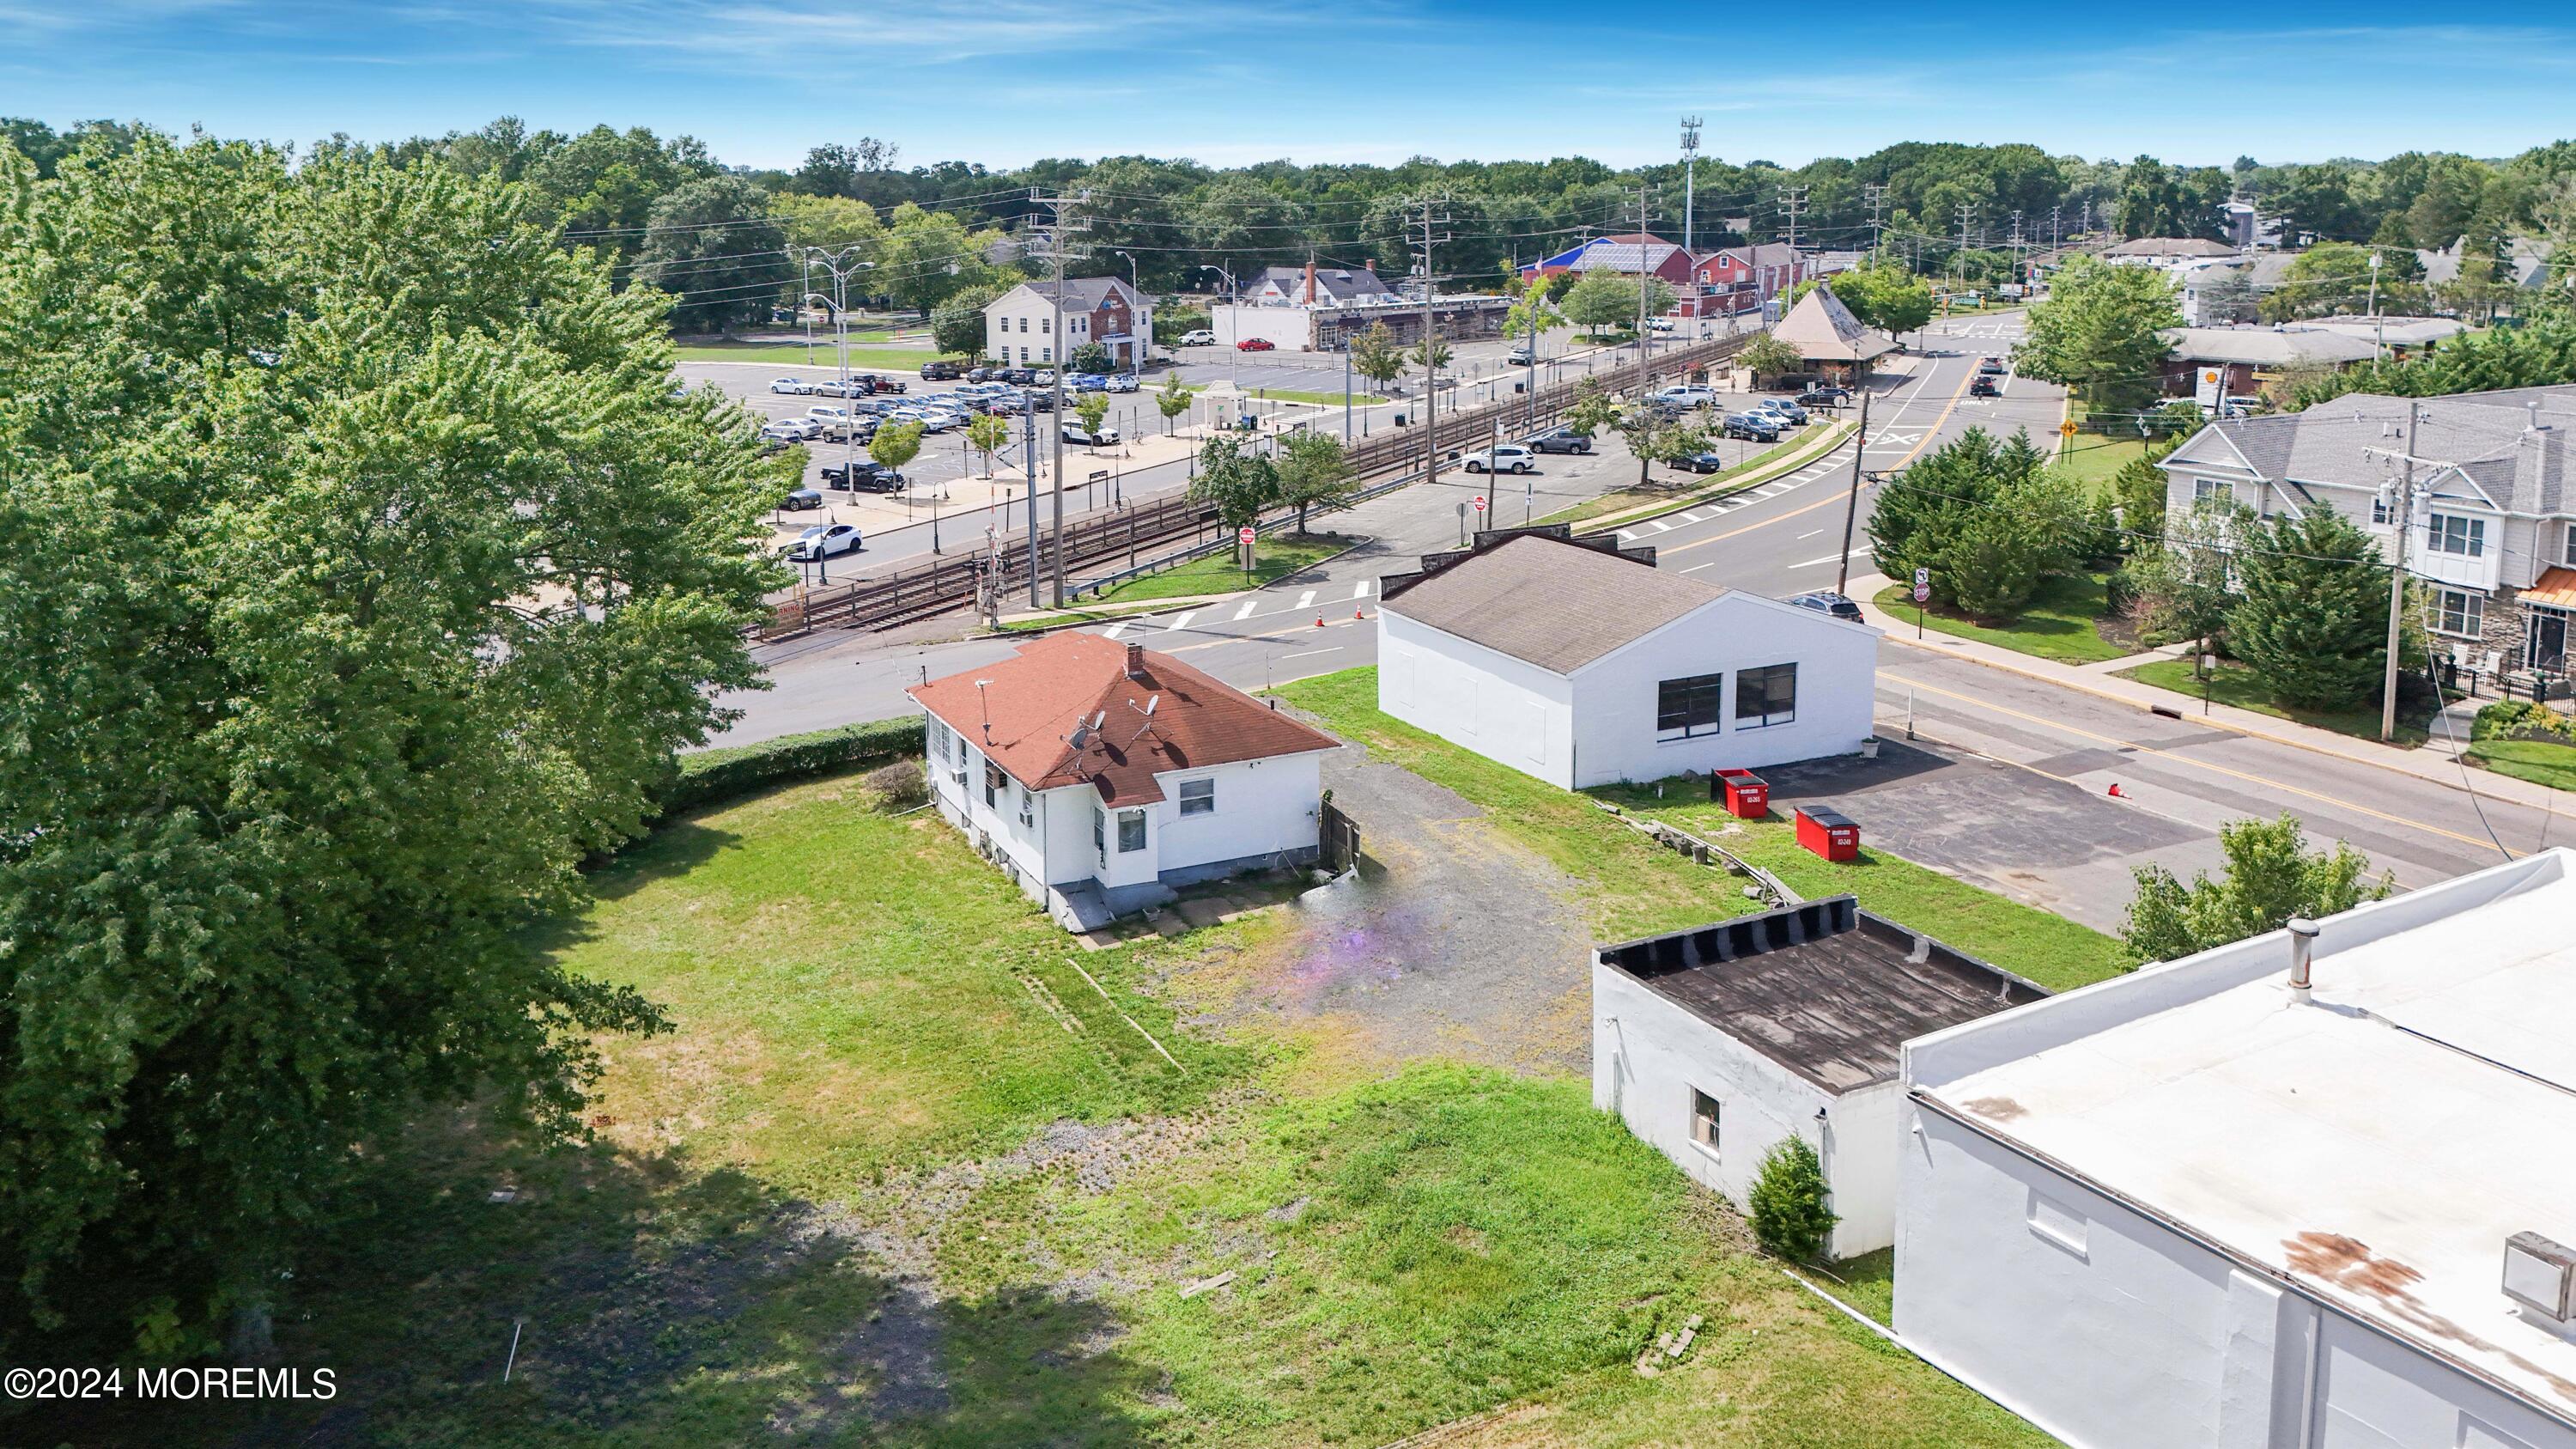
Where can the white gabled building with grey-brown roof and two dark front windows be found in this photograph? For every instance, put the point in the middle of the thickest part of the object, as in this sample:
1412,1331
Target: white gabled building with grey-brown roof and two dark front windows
1583,664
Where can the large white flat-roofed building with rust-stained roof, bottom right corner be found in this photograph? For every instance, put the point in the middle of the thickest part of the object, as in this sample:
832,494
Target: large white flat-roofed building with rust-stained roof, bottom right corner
2302,1192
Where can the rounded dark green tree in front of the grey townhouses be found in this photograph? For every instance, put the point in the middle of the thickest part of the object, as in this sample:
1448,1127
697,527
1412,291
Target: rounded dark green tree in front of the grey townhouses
2312,612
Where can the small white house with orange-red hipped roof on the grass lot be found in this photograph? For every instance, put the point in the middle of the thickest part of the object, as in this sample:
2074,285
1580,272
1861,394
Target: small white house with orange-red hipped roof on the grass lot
1101,777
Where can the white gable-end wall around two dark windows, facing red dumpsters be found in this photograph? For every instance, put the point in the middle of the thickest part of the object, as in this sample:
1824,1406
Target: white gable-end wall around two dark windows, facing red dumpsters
1616,695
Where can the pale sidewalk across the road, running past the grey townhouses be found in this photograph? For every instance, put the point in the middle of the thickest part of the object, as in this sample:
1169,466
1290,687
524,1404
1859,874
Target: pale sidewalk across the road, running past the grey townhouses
2433,762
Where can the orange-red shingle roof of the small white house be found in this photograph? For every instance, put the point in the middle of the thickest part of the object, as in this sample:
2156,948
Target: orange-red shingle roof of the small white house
1037,705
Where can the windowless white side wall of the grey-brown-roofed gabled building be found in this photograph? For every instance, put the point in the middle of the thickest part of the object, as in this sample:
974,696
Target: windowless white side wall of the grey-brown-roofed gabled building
1490,703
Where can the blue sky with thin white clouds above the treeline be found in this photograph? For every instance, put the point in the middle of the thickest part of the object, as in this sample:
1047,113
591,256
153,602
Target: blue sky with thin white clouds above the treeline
1009,81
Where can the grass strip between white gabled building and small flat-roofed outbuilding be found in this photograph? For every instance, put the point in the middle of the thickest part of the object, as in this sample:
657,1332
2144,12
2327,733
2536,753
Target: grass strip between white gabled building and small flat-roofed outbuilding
1640,888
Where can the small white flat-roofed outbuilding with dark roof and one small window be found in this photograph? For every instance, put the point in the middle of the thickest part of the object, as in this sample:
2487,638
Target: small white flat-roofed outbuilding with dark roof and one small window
1725,1040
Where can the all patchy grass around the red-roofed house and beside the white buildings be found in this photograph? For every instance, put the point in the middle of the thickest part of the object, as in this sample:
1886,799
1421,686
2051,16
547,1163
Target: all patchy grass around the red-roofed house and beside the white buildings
911,1169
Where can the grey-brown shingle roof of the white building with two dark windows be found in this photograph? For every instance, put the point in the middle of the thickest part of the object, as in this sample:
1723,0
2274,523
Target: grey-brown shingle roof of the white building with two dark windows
1549,602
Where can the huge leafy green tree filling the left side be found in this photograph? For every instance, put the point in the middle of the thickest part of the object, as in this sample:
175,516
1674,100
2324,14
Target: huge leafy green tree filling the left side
346,630
